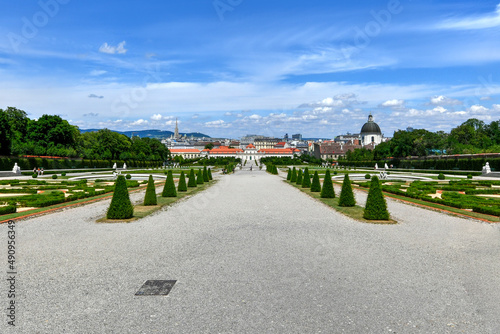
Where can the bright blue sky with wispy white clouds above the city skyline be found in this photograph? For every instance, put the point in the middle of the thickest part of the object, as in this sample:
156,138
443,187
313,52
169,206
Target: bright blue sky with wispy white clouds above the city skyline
232,67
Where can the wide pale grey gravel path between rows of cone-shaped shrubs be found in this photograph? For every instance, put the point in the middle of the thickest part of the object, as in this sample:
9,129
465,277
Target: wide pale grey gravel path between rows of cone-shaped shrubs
255,255
